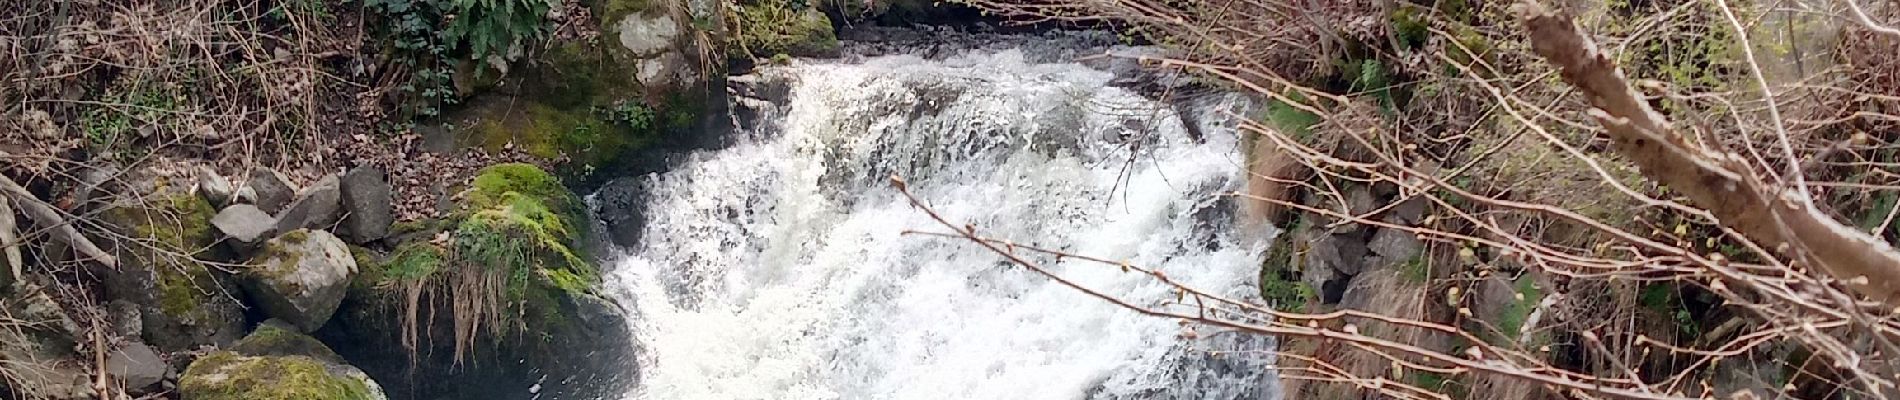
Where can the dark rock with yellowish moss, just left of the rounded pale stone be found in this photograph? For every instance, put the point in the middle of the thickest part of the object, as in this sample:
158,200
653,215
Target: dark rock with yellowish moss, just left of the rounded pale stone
166,240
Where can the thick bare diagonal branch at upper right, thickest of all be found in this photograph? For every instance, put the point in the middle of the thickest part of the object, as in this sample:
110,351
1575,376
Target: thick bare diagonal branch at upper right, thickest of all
1722,183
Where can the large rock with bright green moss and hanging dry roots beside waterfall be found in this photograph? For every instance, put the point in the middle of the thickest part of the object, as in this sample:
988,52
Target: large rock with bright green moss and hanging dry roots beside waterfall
512,253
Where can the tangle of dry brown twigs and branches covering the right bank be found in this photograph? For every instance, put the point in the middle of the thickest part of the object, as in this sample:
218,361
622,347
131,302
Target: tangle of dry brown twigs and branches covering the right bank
1627,200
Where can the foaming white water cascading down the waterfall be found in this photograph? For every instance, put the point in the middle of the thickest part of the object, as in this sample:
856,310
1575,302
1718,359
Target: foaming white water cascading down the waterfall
778,268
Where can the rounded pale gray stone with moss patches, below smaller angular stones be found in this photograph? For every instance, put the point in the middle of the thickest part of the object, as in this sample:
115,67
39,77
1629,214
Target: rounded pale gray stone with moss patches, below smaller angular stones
301,278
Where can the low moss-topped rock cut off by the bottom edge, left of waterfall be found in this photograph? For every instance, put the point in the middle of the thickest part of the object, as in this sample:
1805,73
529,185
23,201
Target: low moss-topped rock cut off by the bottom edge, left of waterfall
231,376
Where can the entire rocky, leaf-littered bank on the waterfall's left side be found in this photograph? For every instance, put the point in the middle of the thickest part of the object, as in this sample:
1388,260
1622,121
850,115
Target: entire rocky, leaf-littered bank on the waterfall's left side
402,225
